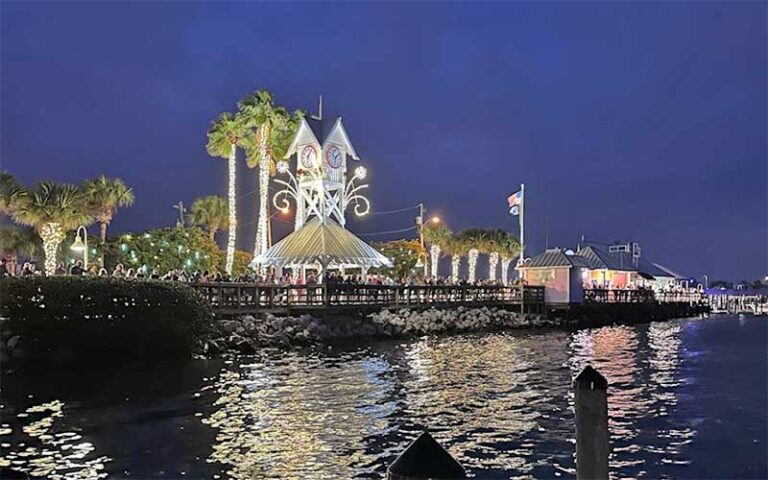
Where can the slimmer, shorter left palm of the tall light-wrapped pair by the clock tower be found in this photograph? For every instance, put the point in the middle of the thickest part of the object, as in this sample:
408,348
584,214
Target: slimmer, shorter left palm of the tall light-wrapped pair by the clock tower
224,136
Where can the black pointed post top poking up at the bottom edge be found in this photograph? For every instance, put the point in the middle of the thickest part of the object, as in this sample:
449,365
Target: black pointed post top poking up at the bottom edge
425,459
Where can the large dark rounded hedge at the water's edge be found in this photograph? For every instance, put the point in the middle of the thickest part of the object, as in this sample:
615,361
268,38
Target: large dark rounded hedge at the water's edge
83,316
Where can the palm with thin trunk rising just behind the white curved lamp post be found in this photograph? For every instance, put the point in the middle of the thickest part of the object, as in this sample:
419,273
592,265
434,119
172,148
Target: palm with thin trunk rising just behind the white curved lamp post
104,196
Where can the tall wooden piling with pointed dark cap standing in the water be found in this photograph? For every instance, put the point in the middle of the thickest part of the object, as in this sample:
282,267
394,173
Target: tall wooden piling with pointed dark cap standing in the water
591,406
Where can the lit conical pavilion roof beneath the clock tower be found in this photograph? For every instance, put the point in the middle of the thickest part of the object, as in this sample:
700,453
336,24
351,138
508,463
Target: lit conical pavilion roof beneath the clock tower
328,244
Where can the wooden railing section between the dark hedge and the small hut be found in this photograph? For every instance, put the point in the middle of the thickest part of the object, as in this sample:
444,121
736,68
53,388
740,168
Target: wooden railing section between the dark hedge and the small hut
249,297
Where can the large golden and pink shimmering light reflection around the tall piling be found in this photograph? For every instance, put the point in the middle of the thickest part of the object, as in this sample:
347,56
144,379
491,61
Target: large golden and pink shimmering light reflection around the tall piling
500,403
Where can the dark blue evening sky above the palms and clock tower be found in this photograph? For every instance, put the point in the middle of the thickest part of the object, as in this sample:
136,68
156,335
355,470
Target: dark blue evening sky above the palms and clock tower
625,121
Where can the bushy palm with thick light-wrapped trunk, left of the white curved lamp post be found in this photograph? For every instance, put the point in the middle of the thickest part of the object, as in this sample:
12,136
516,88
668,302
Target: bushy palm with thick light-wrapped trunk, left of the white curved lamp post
52,209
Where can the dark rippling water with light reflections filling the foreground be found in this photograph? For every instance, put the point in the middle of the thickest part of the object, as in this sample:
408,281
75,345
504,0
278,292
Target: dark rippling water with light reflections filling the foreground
687,399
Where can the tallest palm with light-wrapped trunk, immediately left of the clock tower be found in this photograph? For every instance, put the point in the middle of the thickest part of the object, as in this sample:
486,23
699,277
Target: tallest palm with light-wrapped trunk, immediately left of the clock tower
270,129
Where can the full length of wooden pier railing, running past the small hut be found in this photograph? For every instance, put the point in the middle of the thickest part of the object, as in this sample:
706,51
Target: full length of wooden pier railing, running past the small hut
248,298
